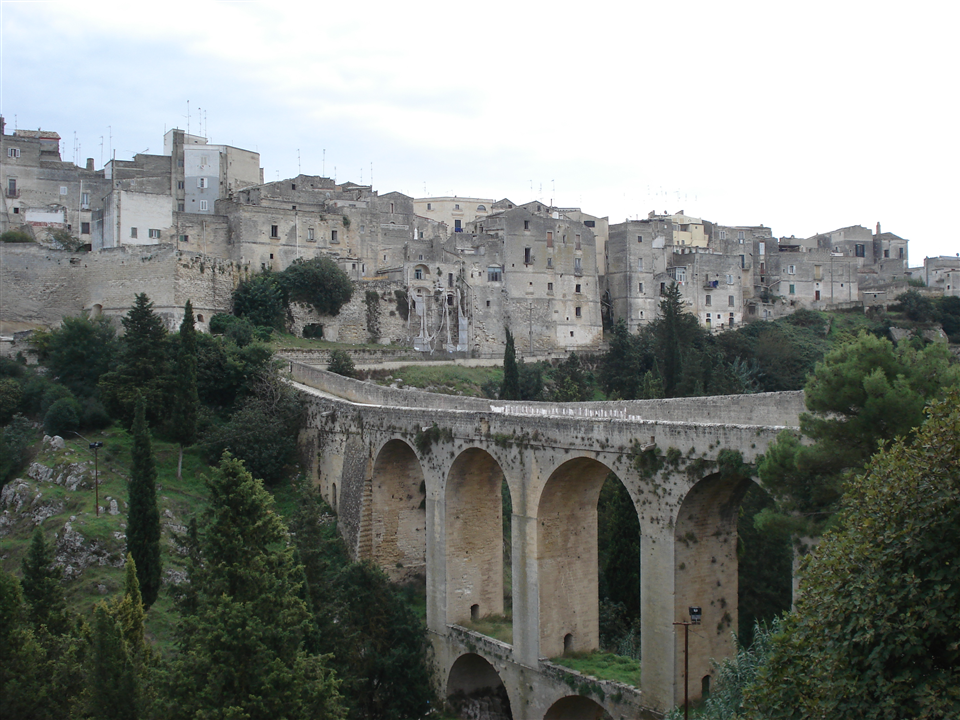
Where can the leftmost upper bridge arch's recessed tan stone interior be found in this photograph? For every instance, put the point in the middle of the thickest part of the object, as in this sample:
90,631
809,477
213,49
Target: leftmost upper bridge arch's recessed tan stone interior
397,516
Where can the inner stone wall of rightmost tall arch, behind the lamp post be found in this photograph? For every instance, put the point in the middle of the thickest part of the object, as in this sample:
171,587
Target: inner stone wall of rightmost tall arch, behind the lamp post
705,573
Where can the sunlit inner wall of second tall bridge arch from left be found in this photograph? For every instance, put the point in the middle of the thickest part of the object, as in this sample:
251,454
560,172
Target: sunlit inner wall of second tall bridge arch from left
474,536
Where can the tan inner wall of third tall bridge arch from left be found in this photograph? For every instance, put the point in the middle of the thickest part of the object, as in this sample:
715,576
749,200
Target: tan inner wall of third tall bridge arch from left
567,557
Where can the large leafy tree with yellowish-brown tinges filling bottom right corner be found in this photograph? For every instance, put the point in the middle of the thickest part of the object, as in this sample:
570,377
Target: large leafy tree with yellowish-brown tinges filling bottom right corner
874,633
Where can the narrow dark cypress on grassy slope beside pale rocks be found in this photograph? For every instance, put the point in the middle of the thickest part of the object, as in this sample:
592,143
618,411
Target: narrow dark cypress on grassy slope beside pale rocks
143,521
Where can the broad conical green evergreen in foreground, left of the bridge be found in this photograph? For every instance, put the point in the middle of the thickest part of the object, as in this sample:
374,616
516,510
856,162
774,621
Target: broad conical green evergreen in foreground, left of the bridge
243,618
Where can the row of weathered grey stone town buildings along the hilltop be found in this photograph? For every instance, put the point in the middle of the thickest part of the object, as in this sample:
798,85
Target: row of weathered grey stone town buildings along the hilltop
438,274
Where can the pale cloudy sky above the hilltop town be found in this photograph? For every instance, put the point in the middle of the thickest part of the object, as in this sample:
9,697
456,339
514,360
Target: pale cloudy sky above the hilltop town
804,117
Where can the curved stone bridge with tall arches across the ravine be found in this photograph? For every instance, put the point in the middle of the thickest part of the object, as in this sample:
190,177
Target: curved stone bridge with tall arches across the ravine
416,480
